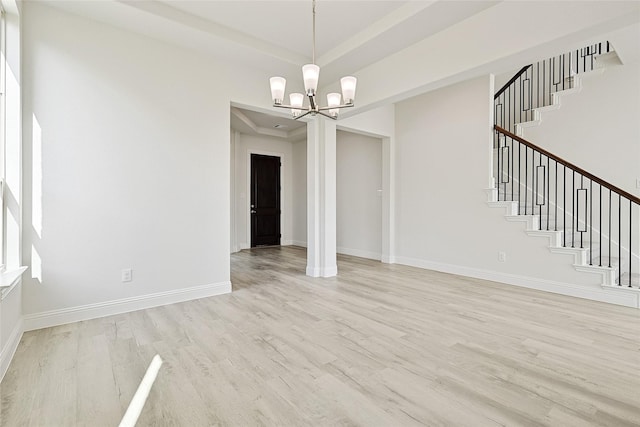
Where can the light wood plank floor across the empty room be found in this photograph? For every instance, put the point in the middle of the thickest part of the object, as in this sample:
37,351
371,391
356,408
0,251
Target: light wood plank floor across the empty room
380,345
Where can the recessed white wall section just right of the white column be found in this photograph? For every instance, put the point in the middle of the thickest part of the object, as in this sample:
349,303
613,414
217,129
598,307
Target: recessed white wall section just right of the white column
359,195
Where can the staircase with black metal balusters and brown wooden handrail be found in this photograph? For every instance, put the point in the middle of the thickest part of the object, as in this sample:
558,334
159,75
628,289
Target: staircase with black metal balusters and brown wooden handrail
580,214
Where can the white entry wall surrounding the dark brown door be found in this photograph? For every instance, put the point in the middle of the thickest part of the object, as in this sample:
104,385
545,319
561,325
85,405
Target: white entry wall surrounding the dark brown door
245,145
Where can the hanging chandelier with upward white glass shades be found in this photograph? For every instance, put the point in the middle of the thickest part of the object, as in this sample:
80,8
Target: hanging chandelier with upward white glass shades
310,75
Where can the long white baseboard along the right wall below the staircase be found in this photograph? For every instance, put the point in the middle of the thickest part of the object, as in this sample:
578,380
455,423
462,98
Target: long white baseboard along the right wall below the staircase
595,293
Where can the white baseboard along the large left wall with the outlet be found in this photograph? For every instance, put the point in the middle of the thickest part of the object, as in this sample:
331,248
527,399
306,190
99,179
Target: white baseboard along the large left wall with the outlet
91,311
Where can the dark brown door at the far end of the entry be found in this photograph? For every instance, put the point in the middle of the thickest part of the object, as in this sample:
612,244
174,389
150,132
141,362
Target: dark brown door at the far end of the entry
265,200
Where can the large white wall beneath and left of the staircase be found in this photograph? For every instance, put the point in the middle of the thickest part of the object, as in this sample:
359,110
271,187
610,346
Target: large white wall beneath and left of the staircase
442,220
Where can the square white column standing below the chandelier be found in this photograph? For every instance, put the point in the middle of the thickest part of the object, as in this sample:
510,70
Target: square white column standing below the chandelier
321,198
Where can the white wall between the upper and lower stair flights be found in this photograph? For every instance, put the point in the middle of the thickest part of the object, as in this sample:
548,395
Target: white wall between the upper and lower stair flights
598,129
